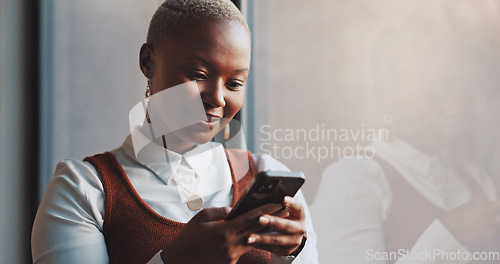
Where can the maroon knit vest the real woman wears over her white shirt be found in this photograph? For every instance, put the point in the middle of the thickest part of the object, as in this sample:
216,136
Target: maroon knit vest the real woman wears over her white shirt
134,232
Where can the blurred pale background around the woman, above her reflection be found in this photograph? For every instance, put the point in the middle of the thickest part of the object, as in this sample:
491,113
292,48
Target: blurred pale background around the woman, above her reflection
321,69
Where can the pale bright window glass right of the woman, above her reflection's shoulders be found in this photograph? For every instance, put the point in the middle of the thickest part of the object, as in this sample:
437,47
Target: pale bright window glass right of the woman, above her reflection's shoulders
328,68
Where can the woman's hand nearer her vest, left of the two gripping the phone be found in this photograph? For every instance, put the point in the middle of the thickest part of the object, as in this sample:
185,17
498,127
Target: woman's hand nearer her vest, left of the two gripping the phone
205,239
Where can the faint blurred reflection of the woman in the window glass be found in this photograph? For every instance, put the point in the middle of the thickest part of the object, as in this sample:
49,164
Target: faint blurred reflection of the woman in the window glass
425,197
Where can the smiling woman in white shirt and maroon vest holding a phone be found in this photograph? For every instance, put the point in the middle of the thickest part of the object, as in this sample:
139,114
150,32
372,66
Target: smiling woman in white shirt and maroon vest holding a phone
165,201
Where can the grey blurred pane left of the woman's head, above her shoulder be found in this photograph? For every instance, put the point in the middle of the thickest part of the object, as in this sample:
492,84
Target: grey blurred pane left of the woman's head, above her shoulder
91,76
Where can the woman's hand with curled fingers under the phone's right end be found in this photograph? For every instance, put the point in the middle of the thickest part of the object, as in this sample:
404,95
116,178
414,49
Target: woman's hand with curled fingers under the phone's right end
288,229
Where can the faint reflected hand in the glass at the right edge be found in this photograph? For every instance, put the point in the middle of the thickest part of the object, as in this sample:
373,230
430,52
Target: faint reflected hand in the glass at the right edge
476,225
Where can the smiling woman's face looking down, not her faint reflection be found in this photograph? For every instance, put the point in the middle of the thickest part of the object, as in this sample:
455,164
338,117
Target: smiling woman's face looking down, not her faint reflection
215,54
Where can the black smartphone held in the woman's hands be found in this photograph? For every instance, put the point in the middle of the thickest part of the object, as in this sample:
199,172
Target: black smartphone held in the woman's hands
268,187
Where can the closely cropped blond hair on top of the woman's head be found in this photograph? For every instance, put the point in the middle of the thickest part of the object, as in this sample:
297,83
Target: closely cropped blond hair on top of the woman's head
172,15
